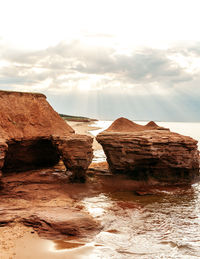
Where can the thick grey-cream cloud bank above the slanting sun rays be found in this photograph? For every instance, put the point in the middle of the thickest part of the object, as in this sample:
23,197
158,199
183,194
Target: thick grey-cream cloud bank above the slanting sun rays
66,65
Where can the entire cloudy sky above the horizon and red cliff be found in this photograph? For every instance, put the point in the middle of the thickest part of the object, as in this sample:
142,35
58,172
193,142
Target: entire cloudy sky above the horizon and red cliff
138,59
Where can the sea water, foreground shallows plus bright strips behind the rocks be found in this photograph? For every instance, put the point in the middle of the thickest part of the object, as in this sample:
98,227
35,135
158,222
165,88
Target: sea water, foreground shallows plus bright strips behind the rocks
161,225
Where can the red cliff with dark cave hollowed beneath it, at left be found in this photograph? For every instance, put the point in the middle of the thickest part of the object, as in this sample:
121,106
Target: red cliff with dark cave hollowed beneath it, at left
33,135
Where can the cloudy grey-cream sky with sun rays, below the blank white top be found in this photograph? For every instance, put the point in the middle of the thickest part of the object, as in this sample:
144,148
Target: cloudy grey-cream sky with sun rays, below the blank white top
104,82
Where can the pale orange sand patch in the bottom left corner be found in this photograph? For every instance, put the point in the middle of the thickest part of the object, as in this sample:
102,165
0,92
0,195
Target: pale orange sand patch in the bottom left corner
17,242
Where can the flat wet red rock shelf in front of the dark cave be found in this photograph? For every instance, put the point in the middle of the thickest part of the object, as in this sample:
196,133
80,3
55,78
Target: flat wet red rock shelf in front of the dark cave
43,200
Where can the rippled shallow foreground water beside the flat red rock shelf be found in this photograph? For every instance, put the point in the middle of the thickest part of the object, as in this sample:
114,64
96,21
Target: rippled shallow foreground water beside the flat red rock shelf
165,224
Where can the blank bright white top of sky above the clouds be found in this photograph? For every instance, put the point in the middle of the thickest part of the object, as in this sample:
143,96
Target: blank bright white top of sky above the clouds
38,24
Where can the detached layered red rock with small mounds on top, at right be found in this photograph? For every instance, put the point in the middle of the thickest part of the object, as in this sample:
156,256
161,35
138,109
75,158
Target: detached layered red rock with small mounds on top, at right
150,153
